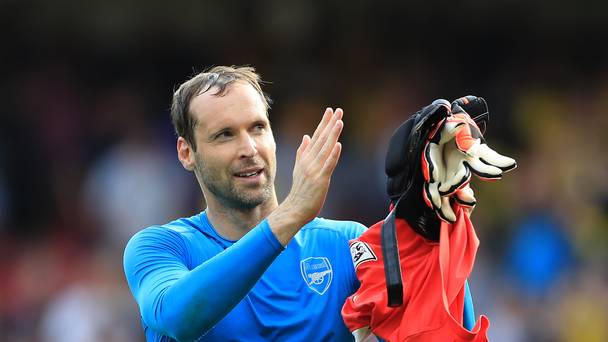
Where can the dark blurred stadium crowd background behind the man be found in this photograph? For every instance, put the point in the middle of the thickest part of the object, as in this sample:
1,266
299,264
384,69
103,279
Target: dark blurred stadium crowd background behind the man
87,150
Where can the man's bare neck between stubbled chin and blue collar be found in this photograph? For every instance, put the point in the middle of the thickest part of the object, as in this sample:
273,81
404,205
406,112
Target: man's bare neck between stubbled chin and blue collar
233,223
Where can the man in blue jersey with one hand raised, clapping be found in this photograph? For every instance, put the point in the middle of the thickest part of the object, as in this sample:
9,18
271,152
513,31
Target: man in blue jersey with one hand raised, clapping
246,268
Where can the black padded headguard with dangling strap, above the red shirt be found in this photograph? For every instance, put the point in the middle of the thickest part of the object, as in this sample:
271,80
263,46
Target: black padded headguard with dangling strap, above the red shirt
410,172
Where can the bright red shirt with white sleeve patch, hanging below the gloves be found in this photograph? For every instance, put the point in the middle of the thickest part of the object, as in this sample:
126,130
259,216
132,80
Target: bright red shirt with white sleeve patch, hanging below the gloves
434,274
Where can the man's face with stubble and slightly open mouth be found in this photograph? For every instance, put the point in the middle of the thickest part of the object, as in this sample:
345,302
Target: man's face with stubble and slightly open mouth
235,158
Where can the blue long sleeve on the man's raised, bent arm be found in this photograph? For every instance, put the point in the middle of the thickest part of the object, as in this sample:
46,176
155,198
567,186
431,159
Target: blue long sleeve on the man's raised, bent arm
184,304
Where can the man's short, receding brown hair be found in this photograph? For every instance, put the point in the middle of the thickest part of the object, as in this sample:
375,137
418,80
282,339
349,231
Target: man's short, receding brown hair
219,77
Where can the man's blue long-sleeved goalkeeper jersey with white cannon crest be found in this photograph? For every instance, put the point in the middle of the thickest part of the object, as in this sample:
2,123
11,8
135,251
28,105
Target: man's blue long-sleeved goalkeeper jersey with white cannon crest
192,284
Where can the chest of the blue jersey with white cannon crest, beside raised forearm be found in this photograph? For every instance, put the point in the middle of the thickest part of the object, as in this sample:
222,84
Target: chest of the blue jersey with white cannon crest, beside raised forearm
300,294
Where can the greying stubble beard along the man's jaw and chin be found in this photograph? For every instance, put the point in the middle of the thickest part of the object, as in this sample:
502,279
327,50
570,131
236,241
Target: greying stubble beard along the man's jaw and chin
229,194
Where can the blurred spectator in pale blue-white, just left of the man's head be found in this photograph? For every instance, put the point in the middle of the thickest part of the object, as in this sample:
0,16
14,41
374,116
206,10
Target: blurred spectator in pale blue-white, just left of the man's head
138,181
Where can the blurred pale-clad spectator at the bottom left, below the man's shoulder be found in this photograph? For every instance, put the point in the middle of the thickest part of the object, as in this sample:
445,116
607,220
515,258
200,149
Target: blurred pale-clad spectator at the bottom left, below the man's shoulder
93,308
